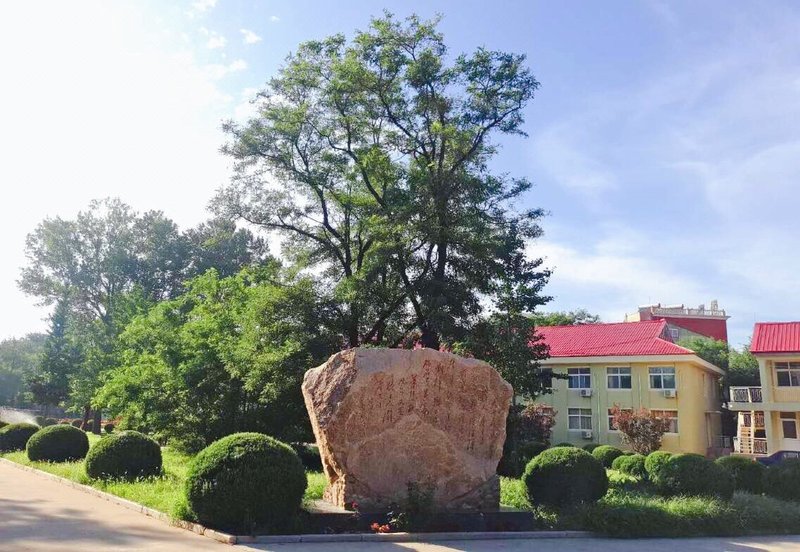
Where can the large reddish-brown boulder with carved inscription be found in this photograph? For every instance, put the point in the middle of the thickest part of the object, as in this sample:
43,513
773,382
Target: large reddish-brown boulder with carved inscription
384,418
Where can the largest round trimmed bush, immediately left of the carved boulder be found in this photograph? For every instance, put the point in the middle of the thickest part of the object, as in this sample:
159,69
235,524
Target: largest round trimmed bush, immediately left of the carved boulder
246,481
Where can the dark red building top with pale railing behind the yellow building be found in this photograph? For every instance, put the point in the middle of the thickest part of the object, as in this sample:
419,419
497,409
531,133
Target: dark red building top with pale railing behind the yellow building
684,322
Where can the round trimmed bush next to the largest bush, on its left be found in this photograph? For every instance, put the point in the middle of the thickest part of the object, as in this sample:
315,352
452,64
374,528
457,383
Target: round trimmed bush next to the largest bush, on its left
125,455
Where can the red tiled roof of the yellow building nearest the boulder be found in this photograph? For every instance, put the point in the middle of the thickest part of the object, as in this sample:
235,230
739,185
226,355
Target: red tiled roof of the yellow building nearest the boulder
623,339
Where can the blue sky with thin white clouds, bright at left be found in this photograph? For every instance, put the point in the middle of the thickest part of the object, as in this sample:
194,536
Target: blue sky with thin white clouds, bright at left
664,142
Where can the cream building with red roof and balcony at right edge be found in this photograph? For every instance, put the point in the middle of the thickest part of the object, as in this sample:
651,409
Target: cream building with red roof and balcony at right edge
768,425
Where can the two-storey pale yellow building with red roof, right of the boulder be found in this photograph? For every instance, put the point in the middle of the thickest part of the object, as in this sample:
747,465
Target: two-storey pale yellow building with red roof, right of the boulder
631,365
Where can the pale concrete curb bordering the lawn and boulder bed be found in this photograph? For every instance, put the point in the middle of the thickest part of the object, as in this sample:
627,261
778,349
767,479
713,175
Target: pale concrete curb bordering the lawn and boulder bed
226,538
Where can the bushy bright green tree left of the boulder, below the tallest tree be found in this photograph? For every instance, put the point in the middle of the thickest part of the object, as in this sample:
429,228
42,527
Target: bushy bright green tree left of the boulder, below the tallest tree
226,356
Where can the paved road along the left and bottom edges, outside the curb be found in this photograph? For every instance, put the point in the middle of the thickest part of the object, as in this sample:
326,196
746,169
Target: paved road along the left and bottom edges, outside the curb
37,513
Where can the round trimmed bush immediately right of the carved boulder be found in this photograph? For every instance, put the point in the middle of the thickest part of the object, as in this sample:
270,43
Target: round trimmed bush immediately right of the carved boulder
562,476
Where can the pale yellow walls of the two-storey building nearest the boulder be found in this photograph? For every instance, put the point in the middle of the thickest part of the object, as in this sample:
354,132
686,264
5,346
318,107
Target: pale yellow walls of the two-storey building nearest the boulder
697,404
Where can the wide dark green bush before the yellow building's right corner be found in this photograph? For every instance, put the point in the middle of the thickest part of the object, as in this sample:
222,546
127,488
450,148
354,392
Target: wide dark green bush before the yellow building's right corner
693,474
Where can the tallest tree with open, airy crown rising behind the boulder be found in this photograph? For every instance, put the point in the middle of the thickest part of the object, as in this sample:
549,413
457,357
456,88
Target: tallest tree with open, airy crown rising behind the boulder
372,159
